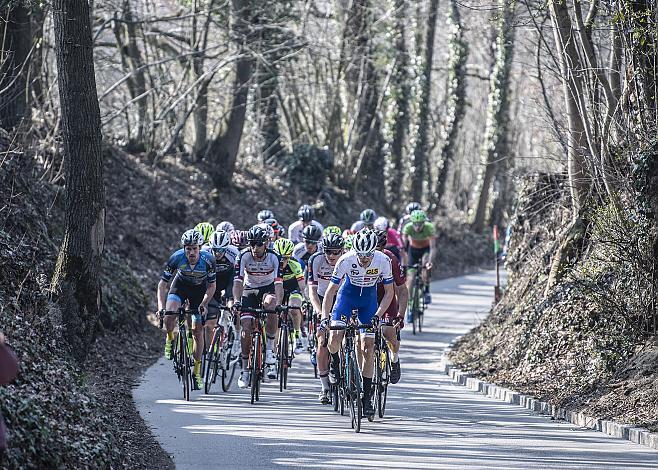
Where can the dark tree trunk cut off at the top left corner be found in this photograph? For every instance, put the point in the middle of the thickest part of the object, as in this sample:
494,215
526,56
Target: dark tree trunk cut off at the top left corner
16,41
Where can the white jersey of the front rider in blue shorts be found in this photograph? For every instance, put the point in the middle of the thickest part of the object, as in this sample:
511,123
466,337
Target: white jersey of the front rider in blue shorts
348,268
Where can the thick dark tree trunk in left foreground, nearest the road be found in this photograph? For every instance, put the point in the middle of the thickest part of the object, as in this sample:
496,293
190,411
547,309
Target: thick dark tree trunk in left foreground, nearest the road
76,281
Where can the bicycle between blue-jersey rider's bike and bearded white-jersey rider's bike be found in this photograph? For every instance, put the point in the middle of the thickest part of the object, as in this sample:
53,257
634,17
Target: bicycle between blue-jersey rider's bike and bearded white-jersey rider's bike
219,359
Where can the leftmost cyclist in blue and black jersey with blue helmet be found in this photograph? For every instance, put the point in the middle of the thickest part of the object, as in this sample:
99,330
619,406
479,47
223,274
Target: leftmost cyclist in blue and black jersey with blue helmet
188,275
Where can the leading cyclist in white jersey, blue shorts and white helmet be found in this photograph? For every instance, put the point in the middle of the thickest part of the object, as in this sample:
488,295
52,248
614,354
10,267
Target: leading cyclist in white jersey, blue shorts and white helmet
361,268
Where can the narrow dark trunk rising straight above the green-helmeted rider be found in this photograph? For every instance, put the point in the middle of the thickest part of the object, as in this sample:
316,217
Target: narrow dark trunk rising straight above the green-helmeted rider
420,158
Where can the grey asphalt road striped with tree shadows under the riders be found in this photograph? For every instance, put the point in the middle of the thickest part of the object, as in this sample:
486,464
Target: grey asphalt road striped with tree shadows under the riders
430,423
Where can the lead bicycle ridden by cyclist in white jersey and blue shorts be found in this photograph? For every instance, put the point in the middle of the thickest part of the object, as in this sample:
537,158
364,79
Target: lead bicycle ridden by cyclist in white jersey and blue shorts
350,380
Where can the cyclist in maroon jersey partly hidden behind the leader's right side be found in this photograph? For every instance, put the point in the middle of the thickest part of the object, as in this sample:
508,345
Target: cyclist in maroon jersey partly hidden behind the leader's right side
394,316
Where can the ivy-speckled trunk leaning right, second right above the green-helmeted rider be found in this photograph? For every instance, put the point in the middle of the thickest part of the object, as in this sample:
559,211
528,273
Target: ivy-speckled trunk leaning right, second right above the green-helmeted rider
456,93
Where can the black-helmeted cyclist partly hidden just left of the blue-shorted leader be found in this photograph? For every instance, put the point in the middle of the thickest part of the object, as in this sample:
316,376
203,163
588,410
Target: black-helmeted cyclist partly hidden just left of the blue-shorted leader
319,271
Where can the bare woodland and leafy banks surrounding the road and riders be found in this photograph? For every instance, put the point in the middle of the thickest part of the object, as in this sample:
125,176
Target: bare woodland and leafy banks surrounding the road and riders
124,122
